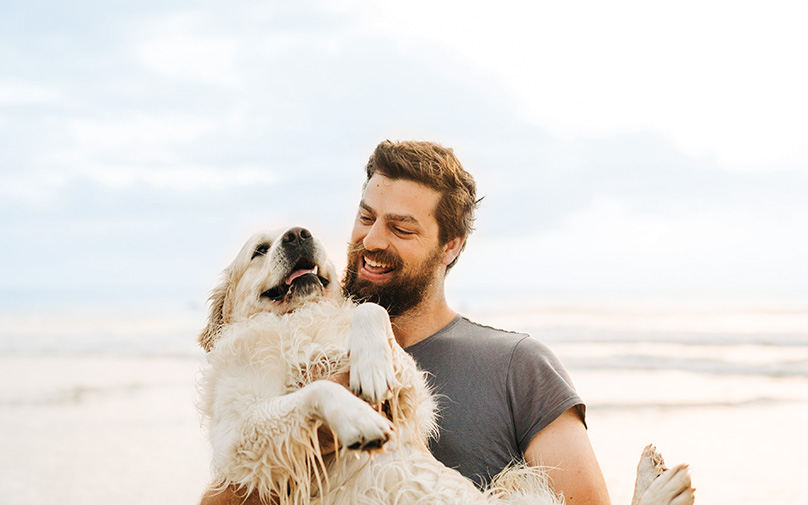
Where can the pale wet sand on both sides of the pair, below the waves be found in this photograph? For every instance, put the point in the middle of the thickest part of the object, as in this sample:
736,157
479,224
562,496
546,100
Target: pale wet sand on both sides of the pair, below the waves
125,431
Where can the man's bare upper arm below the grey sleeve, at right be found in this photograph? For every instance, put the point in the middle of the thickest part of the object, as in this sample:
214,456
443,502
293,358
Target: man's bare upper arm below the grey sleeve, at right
564,447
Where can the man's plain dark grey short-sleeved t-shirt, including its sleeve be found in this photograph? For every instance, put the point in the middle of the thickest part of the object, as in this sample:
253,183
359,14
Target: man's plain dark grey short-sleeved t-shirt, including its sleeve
496,389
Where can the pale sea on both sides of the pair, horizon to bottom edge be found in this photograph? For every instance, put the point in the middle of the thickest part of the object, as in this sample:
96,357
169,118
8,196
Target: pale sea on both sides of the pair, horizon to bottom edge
99,407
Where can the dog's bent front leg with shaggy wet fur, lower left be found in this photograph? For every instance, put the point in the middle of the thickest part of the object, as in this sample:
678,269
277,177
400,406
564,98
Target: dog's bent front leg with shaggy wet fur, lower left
275,451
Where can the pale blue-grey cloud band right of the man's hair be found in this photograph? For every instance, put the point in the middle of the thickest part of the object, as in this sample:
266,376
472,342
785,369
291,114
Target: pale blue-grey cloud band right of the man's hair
539,180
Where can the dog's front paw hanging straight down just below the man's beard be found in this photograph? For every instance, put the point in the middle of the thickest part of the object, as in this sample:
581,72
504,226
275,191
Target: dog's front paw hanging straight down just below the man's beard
372,375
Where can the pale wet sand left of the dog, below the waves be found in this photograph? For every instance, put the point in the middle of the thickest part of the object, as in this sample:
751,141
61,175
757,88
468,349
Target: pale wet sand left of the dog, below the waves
101,430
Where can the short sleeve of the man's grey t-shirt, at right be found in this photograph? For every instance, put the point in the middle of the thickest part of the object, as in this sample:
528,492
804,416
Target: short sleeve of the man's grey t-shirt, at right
539,390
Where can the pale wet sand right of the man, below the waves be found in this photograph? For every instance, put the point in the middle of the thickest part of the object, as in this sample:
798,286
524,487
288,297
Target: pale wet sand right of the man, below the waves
741,451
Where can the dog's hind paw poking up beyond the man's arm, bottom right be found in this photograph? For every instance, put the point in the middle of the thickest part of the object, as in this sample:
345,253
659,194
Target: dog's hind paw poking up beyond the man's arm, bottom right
656,485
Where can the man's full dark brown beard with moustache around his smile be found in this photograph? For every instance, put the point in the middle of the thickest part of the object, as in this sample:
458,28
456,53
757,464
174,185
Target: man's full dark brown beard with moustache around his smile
405,289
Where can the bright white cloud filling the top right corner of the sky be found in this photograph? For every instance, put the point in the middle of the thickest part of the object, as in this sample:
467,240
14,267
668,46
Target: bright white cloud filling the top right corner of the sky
716,80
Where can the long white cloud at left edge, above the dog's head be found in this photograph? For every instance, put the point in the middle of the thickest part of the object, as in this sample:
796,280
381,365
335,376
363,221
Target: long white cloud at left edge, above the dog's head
158,149
